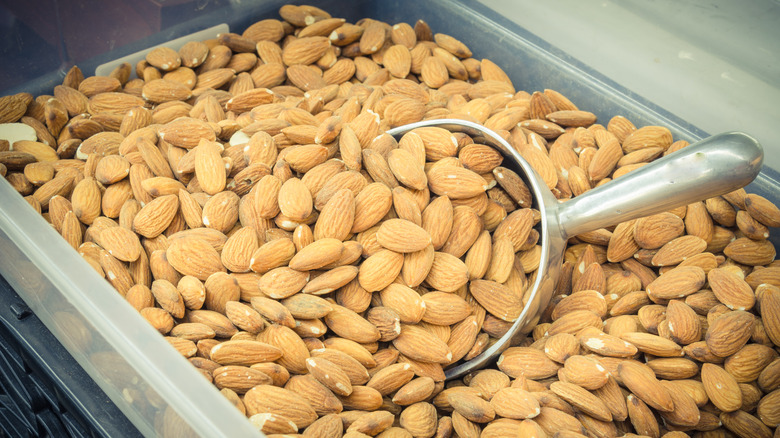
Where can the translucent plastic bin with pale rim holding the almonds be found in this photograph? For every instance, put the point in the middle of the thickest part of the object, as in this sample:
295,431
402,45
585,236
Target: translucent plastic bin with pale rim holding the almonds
149,382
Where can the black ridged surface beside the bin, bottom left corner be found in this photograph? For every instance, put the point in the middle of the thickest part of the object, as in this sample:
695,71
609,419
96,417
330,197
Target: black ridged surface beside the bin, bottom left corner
43,391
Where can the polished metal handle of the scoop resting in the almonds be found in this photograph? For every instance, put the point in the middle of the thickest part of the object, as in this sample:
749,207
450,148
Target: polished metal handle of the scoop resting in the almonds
711,167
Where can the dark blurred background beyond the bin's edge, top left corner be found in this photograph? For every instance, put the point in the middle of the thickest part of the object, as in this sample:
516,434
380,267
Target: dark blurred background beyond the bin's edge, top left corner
38,37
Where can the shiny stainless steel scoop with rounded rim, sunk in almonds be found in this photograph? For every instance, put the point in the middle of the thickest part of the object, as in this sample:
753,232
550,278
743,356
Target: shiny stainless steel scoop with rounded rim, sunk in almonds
714,166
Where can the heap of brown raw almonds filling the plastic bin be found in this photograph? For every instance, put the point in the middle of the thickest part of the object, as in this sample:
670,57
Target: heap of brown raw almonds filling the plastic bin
242,194
